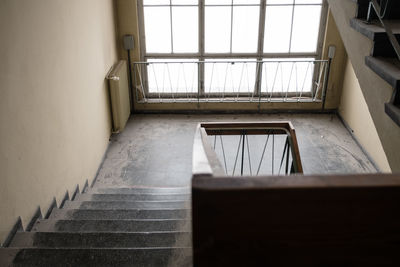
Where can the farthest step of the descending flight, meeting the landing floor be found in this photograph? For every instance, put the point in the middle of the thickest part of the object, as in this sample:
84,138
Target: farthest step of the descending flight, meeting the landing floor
140,190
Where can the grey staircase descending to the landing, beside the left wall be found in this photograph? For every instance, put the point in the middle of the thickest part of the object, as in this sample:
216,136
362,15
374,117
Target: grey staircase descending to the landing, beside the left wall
110,227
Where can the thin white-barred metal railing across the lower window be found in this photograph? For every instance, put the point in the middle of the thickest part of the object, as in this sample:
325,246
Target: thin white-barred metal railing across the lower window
303,80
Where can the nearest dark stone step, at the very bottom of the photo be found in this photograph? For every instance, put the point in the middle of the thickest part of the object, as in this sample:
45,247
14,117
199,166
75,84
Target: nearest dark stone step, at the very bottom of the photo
96,257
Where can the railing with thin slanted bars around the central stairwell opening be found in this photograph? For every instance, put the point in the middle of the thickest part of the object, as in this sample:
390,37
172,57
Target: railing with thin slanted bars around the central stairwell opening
246,149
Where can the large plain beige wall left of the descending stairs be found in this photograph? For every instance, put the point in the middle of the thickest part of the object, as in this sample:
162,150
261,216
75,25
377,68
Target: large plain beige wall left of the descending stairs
54,110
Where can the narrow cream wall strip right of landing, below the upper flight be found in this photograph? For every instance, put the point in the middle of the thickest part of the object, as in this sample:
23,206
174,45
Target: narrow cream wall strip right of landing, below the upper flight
355,113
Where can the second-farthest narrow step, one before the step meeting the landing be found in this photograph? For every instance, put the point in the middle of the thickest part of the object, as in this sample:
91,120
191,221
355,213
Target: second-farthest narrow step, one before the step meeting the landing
132,197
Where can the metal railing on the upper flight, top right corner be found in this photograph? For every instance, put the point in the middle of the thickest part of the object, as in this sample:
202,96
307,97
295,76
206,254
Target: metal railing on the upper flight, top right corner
374,5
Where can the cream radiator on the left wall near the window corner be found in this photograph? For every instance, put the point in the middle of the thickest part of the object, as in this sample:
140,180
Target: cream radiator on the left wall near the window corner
119,95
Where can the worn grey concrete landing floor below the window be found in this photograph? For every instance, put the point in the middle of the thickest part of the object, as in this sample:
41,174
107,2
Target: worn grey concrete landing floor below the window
156,150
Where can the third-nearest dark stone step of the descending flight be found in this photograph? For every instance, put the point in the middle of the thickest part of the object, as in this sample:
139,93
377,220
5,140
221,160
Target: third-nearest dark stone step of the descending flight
111,225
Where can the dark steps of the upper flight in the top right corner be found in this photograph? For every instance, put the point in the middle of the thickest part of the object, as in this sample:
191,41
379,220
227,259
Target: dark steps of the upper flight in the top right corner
383,59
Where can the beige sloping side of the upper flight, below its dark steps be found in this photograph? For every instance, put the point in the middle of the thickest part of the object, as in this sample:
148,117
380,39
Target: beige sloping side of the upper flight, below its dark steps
375,90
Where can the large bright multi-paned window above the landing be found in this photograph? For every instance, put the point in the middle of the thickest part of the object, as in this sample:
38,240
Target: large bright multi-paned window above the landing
218,31
